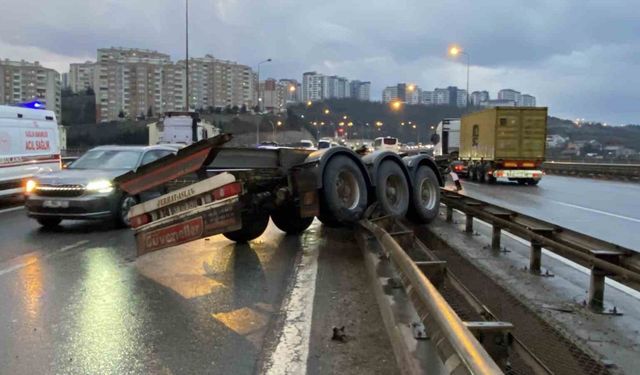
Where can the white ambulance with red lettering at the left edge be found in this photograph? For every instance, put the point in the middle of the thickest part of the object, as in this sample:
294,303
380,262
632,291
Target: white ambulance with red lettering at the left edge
29,144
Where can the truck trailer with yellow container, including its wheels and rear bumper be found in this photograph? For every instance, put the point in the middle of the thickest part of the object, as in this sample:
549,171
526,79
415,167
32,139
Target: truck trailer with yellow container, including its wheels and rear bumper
507,142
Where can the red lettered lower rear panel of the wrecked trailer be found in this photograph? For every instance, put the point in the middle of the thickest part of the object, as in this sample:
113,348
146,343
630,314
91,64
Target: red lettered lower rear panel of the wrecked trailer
215,218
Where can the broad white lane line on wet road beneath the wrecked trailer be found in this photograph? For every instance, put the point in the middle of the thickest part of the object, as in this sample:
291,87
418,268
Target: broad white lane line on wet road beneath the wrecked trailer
292,351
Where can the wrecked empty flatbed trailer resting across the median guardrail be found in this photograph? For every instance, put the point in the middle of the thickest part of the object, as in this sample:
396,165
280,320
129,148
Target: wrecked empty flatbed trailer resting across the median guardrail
211,189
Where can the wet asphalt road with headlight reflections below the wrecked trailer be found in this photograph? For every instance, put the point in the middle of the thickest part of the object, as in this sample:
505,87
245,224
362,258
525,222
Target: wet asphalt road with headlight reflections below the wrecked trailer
77,301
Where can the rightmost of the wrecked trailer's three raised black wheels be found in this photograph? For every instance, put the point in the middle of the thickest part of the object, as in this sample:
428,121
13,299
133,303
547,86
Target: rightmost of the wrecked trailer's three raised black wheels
425,196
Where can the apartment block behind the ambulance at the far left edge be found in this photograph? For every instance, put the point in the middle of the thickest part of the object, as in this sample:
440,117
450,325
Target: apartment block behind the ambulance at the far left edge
22,81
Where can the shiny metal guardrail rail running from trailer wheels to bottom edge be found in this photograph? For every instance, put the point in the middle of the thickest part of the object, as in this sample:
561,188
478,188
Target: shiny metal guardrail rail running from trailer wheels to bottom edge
457,347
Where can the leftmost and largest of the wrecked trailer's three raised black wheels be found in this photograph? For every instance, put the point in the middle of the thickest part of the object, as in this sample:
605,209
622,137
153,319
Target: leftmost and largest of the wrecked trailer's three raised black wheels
344,192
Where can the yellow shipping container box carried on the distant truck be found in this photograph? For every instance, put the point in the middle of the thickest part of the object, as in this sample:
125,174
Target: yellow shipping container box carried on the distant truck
504,133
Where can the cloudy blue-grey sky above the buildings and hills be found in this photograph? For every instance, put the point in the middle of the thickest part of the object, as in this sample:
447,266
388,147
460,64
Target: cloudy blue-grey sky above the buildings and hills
580,58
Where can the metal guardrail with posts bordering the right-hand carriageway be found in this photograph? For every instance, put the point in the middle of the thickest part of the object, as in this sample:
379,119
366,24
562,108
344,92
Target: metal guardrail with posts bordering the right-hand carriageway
605,259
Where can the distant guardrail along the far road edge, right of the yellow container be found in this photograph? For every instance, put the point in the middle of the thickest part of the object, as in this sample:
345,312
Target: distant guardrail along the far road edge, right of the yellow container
627,171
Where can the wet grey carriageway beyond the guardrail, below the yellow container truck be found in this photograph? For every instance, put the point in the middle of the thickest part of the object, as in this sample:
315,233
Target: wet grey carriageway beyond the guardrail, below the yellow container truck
608,210
